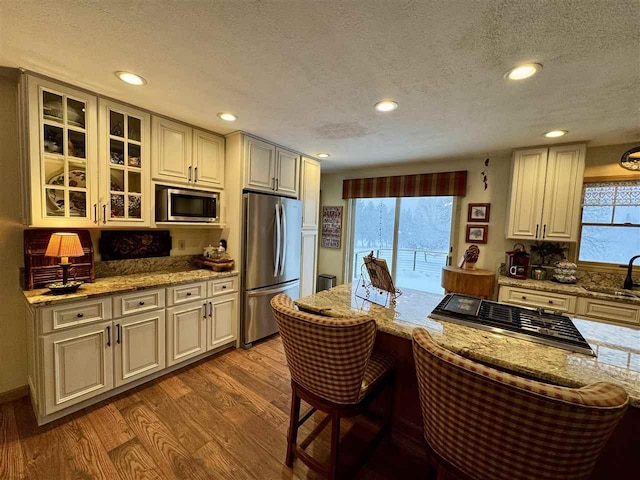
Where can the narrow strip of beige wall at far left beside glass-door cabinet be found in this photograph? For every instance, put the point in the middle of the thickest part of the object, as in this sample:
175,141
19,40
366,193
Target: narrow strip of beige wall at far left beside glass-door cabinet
13,355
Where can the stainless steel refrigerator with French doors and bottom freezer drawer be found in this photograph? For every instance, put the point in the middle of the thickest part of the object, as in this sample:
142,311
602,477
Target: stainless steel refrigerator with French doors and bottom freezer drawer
272,236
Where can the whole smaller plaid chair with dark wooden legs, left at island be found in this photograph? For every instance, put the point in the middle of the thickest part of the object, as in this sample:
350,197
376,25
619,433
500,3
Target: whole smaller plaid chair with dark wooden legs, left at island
333,369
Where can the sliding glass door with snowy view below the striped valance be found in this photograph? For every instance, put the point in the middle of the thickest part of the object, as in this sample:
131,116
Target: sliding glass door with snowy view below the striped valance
413,234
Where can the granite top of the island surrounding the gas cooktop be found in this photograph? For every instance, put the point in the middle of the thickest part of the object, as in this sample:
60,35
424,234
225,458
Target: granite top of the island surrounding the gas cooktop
617,347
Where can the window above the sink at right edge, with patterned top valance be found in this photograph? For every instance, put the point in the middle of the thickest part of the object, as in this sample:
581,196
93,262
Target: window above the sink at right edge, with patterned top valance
610,222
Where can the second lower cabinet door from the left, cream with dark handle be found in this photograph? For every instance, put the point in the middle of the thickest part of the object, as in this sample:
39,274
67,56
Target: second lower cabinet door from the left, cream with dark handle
139,346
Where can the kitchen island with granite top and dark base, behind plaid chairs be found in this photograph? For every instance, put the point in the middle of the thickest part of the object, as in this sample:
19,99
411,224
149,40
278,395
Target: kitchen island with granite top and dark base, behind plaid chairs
617,347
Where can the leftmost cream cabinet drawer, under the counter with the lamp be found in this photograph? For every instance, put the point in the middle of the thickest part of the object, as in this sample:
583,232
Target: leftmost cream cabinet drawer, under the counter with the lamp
75,314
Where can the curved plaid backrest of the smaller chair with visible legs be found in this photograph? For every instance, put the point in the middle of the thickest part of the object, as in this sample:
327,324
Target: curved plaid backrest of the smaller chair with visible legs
326,356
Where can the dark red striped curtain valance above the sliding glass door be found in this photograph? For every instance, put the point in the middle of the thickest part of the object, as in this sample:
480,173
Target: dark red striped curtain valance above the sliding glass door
423,185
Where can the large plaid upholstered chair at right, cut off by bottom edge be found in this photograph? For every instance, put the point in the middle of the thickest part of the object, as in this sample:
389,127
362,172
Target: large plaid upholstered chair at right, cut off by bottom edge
485,424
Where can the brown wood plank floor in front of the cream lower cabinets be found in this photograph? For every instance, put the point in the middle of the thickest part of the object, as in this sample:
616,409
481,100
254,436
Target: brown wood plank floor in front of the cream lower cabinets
223,418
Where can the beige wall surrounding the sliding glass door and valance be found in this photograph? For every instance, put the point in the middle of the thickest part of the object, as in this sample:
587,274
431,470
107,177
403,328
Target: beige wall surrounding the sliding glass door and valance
491,255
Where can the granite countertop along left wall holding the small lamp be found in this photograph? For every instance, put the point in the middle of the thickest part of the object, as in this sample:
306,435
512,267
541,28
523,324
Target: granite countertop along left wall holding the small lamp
124,283
